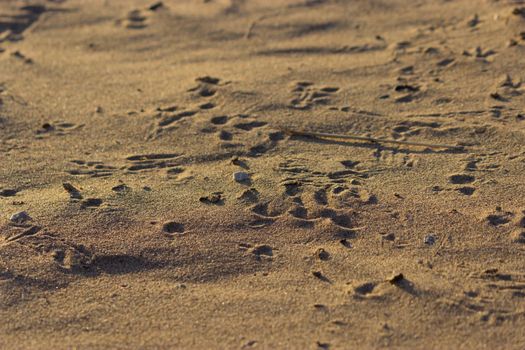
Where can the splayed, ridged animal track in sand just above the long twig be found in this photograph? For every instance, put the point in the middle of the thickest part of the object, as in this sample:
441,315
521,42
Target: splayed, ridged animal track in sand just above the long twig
306,95
